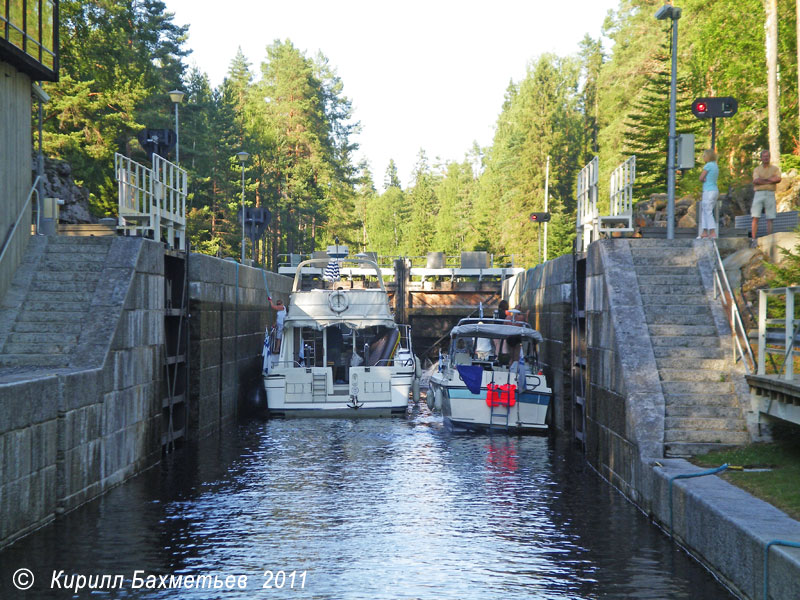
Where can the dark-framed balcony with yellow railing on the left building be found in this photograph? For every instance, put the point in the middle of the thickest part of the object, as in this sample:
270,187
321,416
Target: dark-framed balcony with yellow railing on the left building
29,36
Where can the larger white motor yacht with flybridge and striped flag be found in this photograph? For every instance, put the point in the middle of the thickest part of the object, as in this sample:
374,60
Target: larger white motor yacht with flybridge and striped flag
342,353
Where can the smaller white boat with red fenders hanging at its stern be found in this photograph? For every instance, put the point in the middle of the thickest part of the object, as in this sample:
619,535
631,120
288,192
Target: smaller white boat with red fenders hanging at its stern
491,378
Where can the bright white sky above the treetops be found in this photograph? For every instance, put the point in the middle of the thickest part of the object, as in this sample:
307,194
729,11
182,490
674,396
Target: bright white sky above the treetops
425,75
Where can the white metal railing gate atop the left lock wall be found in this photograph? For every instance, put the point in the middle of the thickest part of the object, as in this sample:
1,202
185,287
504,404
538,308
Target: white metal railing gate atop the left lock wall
152,201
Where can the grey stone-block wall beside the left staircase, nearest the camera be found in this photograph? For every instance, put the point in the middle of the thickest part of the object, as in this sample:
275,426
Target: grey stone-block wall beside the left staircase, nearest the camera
70,434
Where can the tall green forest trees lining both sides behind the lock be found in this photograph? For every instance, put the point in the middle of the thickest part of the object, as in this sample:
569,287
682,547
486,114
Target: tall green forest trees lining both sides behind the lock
289,111
